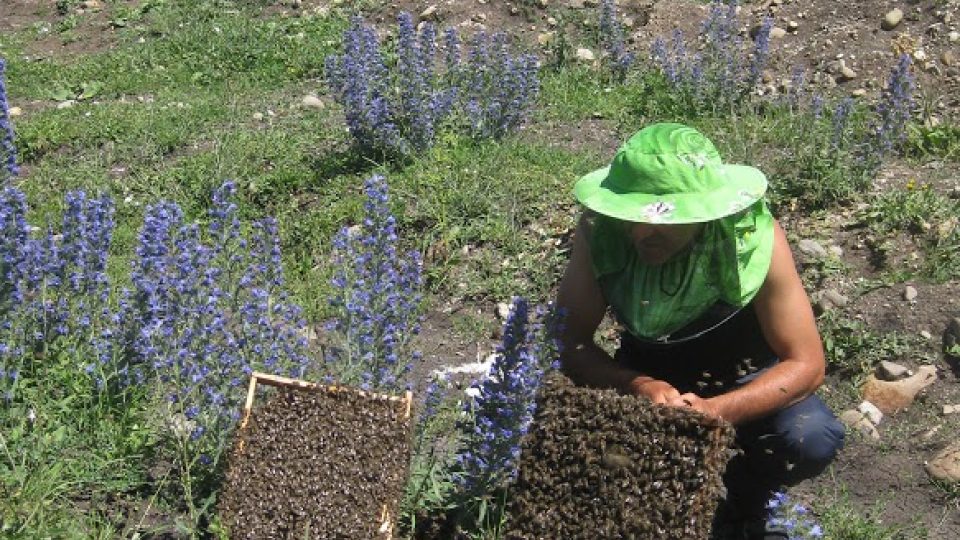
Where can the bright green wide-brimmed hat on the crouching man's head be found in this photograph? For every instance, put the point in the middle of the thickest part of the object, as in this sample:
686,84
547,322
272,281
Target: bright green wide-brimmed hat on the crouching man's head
670,174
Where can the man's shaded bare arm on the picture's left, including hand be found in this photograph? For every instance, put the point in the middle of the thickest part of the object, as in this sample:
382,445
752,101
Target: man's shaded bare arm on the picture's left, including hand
583,361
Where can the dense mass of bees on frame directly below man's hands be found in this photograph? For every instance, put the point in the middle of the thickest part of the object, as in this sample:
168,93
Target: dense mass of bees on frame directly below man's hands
597,464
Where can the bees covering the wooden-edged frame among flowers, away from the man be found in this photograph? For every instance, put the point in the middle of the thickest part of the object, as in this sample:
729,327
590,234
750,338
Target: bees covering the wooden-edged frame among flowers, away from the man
315,464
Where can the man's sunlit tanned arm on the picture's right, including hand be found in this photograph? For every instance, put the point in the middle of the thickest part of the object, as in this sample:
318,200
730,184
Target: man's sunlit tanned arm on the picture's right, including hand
789,327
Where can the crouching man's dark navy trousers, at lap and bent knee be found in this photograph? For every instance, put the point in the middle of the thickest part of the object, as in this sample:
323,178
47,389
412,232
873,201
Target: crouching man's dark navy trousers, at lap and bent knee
780,450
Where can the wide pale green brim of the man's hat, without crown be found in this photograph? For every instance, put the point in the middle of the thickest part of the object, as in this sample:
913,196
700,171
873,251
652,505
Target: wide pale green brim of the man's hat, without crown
744,186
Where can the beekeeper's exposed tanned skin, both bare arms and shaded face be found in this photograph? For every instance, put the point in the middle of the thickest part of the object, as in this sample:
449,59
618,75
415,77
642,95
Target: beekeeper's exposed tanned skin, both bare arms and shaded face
782,307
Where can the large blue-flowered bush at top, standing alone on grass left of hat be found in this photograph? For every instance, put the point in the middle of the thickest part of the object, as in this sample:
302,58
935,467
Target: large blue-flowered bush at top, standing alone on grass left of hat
395,102
